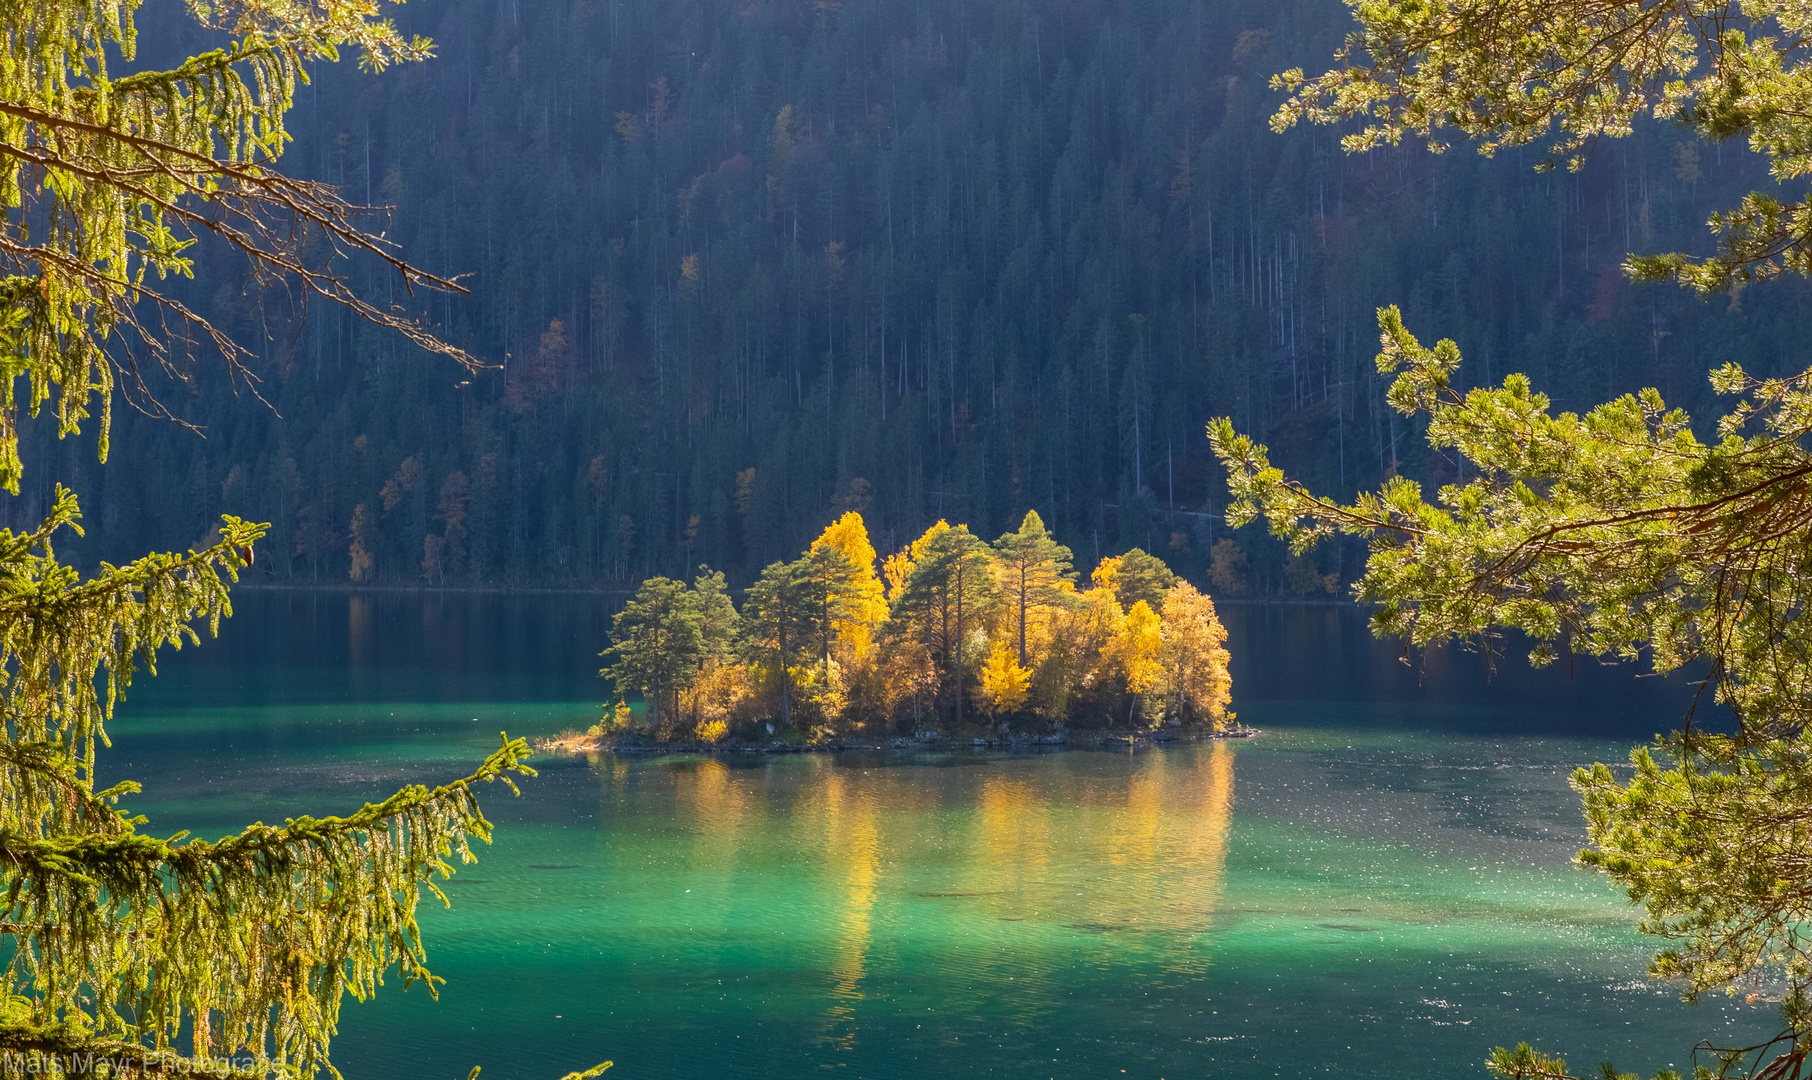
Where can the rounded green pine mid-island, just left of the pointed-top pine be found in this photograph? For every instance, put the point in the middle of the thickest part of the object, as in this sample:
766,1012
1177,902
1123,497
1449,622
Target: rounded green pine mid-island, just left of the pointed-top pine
947,597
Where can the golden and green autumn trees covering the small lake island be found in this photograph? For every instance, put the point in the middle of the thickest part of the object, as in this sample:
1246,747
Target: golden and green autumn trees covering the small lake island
943,630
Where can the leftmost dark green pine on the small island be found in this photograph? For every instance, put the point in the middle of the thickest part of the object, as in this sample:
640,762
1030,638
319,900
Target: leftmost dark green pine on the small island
659,644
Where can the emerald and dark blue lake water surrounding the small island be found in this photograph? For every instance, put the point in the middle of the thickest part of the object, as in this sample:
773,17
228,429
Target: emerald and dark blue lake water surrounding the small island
1378,885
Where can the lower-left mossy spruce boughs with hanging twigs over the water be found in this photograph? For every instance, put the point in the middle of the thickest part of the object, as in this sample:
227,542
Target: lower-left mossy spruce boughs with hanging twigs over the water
119,940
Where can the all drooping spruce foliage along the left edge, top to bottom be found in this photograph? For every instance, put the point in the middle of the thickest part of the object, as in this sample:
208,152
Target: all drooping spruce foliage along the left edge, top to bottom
120,943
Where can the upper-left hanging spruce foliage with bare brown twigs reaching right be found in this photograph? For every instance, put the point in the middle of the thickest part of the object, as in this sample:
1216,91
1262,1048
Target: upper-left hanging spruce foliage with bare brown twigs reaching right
111,177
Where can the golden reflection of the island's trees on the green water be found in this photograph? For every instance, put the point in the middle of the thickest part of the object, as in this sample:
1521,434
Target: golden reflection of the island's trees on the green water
992,862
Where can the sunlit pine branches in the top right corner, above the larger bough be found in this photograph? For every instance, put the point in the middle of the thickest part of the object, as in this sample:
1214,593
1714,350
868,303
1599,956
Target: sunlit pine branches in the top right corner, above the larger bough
1568,73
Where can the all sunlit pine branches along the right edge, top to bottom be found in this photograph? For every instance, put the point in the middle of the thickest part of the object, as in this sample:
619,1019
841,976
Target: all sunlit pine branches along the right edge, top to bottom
1619,532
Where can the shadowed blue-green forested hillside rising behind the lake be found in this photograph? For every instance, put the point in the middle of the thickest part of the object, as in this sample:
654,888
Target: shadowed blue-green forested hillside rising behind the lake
751,264
